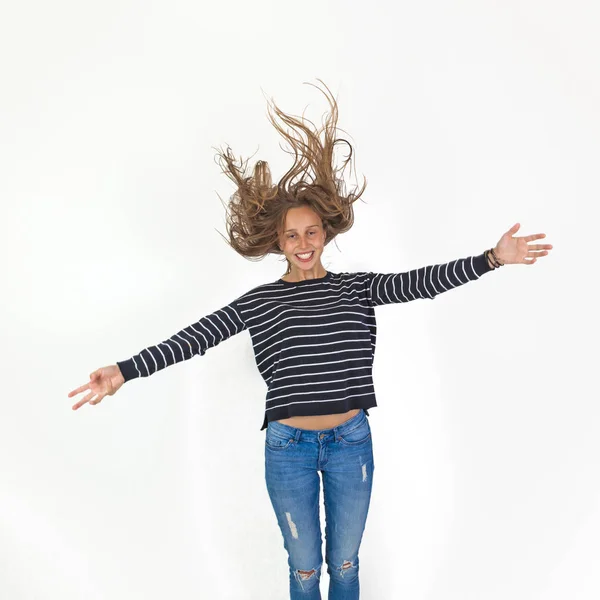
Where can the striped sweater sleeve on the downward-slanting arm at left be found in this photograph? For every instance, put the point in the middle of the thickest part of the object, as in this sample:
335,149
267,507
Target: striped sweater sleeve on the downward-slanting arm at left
192,340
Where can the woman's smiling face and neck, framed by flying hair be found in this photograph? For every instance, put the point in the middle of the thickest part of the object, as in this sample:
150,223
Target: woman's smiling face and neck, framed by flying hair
303,233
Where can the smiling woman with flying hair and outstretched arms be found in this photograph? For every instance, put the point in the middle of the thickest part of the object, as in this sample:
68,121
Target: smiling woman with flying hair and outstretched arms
313,333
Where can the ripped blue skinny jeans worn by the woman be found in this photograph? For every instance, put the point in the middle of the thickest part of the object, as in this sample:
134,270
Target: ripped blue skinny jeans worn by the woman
293,459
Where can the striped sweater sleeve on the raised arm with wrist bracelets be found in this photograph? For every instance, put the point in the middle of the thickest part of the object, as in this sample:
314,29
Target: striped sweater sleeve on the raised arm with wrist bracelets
425,282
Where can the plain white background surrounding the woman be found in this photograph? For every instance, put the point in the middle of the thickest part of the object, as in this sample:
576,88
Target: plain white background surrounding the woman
466,117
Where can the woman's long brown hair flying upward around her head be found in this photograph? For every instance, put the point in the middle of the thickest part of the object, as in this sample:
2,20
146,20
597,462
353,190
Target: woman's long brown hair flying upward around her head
257,209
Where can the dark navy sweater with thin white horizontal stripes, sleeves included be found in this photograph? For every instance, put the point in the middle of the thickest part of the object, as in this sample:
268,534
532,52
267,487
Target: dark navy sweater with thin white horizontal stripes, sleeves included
313,340
